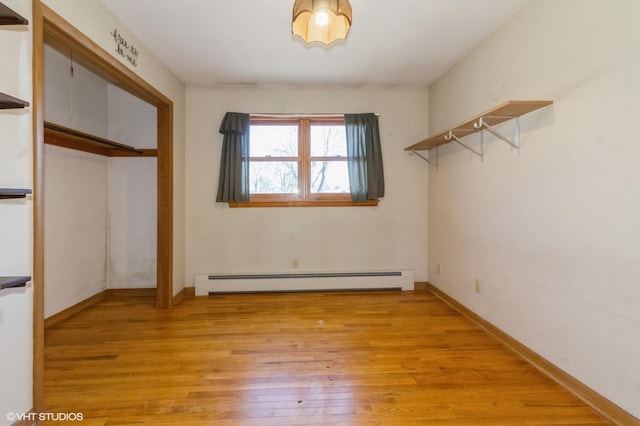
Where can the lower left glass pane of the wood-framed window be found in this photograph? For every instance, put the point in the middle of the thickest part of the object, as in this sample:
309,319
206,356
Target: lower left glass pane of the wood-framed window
273,177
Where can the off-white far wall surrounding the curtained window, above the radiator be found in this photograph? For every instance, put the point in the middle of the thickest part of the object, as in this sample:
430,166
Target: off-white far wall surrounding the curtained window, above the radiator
390,236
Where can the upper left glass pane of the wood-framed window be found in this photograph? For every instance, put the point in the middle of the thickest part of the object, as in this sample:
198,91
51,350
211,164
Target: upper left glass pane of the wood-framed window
273,141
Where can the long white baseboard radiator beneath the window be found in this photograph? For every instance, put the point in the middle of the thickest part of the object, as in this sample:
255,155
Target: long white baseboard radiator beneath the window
308,281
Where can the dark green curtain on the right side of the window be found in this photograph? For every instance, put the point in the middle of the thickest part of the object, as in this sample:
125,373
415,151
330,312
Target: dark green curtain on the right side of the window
364,157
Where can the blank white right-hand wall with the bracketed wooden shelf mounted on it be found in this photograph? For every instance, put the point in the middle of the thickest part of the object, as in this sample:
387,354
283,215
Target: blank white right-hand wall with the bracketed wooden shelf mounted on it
552,235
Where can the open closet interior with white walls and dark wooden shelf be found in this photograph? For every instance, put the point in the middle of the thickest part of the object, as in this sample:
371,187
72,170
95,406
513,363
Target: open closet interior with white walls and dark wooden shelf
100,185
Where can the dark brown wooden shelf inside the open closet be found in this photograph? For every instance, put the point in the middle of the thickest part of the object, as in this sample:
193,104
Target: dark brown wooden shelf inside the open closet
54,134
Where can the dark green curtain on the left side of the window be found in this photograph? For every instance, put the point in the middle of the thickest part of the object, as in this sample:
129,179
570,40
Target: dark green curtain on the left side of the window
233,185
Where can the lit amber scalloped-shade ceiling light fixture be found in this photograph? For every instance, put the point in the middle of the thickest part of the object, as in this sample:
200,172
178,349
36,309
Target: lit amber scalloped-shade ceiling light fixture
321,20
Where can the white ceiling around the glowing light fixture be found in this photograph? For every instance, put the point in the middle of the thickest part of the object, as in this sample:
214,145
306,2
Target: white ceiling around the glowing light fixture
391,42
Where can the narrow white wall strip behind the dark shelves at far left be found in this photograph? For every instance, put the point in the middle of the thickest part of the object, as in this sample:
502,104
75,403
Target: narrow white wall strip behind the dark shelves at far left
16,216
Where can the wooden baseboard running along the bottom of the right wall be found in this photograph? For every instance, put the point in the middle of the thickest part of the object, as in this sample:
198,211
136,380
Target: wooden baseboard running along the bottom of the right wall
598,402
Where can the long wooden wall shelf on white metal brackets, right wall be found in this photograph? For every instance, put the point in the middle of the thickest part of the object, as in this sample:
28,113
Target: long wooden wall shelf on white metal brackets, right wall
504,112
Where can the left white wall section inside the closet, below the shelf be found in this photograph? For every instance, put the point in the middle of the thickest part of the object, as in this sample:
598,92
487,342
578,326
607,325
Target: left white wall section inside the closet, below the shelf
75,226
